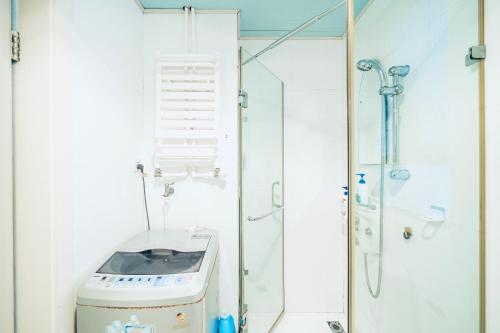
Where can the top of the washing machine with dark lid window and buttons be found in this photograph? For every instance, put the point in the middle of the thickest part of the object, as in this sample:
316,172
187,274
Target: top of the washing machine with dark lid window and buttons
155,268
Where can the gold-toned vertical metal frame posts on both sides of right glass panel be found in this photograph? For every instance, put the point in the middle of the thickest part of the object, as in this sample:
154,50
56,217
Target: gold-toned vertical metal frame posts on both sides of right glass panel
351,120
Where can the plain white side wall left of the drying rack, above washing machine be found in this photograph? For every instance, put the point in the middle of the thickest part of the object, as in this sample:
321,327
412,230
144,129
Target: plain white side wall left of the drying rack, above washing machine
107,130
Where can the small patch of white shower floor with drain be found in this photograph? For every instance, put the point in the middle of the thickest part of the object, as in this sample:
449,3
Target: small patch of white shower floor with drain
308,322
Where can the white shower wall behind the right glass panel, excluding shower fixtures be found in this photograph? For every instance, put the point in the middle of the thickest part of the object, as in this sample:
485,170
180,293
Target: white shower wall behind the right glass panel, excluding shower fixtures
432,280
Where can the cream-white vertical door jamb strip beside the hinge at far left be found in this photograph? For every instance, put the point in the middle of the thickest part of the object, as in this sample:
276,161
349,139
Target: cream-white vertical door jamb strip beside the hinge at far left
33,196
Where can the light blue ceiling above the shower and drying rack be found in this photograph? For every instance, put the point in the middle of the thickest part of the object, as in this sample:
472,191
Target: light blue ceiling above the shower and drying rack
271,18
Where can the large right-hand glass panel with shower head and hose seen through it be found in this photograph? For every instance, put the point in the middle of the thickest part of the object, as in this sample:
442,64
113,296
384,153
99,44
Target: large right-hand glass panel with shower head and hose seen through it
417,213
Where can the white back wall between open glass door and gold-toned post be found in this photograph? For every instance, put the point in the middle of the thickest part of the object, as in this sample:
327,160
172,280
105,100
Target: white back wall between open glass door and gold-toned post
313,72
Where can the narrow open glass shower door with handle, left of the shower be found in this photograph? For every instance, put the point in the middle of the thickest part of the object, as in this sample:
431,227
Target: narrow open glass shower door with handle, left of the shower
262,195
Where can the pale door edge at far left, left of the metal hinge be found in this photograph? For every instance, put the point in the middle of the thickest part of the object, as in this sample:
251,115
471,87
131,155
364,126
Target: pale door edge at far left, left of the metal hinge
6,204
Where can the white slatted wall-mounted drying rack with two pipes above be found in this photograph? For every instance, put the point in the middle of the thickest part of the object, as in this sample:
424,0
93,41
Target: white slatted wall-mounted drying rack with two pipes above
187,113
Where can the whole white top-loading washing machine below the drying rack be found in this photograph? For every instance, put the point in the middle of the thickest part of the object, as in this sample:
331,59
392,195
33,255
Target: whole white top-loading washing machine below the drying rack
157,282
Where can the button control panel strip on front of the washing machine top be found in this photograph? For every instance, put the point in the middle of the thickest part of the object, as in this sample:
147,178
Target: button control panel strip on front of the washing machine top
106,281
